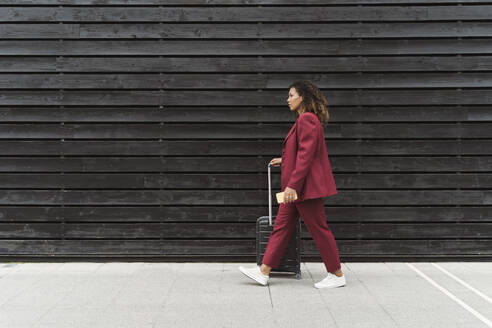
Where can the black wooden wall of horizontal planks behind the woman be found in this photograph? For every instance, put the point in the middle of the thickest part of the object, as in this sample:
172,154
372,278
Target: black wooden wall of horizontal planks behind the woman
143,128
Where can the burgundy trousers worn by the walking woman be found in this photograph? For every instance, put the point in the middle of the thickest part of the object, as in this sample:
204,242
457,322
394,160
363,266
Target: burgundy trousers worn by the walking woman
313,214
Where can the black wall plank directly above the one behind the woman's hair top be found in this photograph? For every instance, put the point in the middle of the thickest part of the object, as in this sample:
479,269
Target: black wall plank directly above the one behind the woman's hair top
314,64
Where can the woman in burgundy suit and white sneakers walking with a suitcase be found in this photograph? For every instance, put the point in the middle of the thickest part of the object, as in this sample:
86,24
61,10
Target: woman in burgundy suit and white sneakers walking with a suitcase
306,172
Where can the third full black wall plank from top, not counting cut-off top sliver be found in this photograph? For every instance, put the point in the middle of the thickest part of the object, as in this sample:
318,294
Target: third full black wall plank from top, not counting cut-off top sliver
141,47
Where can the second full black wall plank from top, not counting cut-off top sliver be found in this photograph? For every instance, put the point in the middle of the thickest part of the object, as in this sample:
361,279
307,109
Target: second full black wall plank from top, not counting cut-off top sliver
242,30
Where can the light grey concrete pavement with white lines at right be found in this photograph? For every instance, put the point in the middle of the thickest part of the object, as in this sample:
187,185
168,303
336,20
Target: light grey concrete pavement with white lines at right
149,294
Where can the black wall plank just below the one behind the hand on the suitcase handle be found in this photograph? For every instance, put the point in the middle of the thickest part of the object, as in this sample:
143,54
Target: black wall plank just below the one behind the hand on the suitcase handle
237,181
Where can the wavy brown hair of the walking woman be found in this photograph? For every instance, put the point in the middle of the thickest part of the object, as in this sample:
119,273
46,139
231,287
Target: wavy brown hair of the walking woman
313,100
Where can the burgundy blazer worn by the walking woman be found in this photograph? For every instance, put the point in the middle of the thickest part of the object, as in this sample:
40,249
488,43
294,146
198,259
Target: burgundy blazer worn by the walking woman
305,164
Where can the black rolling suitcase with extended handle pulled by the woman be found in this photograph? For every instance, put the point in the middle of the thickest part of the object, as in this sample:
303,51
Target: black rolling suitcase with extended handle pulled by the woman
291,260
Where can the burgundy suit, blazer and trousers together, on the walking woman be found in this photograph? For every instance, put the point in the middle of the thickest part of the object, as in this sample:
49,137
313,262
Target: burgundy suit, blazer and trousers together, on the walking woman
306,169
